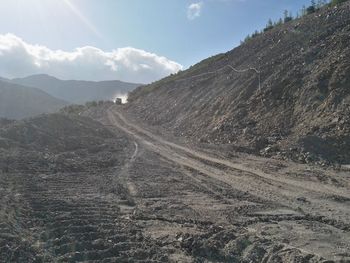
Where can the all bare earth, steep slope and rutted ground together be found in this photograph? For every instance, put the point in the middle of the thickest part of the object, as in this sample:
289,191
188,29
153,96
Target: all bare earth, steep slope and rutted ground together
171,176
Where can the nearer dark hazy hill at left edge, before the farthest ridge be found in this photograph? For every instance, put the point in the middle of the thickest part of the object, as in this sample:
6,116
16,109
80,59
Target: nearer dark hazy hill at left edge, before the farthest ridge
17,102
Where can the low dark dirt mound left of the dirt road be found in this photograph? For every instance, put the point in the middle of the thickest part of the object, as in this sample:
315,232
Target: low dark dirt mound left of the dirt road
58,143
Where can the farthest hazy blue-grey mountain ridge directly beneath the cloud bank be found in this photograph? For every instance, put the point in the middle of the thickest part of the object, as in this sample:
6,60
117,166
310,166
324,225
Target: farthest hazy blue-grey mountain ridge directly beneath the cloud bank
77,91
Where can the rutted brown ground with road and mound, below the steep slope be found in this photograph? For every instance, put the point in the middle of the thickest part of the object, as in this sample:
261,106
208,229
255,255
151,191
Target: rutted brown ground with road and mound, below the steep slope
97,185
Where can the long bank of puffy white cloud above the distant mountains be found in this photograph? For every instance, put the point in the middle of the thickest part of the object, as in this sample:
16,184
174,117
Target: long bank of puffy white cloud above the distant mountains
18,58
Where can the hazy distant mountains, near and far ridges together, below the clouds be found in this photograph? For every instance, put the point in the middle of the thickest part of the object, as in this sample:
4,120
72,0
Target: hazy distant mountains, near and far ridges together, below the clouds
37,94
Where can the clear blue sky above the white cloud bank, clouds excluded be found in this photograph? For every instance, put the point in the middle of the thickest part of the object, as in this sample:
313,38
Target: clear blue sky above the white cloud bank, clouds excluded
162,27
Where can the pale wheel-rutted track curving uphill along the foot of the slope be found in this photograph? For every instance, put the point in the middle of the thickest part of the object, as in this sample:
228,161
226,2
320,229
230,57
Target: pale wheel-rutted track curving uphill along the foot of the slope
270,188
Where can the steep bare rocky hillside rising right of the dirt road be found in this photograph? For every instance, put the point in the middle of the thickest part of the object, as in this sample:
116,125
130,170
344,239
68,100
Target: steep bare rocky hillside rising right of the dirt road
300,110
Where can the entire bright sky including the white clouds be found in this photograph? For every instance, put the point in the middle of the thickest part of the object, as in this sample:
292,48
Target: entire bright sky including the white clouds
131,40
